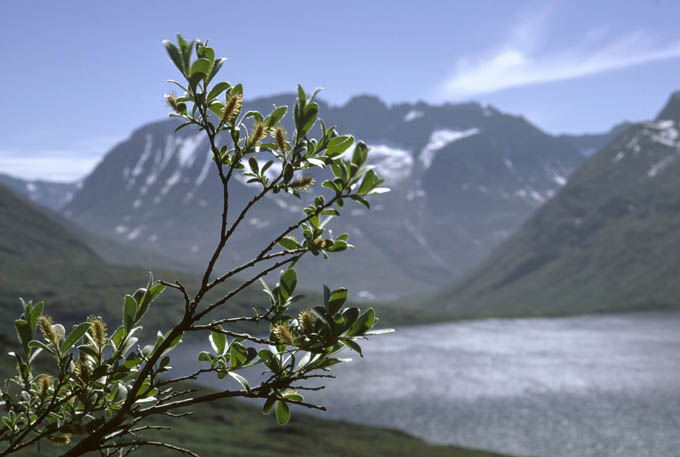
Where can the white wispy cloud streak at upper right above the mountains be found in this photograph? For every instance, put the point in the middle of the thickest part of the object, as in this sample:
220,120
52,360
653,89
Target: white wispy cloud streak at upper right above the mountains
522,61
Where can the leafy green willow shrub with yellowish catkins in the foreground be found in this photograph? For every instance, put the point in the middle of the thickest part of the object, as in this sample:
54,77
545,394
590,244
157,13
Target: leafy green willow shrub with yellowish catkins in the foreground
104,386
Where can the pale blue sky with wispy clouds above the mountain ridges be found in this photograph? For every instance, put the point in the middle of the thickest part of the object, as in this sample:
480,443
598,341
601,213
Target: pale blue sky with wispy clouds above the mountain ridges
79,76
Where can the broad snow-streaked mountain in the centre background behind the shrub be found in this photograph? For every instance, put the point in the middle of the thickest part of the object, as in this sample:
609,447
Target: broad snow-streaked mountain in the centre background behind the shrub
463,176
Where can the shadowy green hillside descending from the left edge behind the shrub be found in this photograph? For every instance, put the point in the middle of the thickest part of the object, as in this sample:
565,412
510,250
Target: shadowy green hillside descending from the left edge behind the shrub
44,257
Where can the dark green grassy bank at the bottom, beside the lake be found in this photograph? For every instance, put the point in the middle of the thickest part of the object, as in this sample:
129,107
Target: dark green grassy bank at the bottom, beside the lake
241,430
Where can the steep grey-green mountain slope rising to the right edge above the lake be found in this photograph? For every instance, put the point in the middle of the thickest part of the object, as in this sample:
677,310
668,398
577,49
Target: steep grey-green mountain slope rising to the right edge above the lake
609,240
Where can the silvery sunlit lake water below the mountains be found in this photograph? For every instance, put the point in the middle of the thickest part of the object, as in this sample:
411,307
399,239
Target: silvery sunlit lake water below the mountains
600,386
